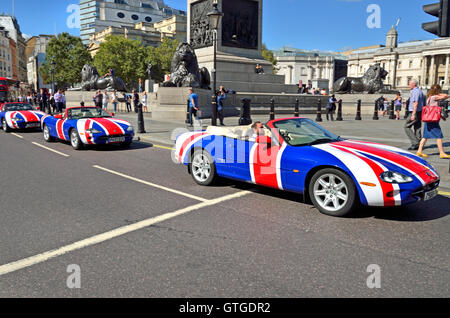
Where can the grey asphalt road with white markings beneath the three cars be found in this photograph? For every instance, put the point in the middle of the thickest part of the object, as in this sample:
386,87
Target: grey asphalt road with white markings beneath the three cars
137,225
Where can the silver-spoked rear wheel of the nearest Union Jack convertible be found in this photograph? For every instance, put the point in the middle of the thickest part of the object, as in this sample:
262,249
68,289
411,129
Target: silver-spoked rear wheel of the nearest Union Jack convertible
203,168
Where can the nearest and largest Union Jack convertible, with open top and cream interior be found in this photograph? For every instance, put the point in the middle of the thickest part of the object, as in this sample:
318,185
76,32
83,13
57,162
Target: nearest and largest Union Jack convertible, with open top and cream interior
298,155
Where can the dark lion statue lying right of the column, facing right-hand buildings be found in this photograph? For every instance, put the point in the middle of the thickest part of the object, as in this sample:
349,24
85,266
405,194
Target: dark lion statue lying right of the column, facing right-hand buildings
370,83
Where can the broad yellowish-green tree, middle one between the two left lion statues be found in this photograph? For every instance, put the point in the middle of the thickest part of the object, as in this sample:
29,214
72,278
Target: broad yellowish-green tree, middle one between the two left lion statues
127,57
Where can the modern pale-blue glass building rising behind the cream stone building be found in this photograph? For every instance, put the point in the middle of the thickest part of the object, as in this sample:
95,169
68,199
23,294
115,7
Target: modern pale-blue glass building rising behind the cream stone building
95,16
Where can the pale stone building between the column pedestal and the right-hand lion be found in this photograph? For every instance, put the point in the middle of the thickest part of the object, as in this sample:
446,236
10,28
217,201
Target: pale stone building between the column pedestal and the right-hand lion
310,66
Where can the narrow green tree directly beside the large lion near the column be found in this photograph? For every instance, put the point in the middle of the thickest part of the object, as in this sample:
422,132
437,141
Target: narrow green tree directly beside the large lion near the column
161,58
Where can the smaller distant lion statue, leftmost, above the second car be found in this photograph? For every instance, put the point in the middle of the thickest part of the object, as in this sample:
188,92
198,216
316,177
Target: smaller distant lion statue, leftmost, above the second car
91,80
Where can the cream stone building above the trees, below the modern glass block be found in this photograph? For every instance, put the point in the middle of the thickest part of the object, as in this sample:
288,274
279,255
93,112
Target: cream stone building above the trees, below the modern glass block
150,34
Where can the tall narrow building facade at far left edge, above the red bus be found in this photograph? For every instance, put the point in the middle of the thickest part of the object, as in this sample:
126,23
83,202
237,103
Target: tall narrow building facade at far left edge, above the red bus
18,57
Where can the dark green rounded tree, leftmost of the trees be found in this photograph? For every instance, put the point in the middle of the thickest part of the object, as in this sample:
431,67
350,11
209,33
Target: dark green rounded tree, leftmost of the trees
69,55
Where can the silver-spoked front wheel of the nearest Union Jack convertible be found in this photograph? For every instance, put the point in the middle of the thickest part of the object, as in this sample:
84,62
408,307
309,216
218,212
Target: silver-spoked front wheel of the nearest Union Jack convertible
333,192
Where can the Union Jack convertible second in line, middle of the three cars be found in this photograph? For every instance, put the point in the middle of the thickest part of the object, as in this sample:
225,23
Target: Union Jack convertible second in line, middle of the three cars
87,126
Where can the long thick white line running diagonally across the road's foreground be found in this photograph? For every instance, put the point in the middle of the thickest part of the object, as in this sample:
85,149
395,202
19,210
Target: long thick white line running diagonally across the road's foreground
40,258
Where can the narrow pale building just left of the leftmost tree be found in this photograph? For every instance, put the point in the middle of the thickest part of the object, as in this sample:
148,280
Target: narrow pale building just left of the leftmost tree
36,48
